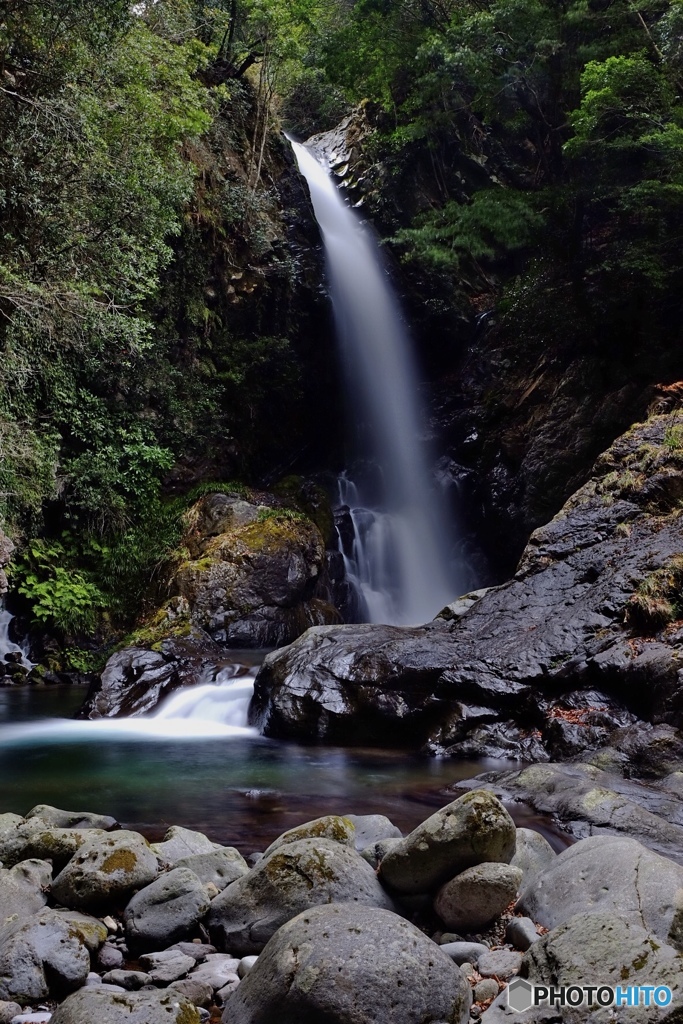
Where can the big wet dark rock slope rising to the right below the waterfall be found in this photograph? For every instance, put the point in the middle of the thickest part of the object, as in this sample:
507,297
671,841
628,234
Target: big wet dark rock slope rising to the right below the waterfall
583,642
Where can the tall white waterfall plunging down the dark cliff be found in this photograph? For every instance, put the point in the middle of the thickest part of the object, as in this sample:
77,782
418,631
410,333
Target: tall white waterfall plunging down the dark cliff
401,561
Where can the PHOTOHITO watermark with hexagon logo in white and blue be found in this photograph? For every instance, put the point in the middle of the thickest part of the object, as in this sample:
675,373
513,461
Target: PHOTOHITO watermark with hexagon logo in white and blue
523,996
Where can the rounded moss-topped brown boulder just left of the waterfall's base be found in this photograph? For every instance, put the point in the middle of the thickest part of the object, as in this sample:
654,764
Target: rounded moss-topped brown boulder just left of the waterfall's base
255,573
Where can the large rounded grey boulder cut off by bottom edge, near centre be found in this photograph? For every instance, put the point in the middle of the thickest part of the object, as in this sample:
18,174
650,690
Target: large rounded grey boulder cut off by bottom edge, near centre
351,965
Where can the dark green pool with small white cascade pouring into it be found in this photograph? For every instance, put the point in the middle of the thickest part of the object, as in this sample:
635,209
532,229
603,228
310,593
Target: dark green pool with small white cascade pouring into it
196,764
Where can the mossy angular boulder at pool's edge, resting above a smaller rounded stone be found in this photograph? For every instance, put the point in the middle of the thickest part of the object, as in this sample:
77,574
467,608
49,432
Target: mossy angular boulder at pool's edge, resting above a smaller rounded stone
473,830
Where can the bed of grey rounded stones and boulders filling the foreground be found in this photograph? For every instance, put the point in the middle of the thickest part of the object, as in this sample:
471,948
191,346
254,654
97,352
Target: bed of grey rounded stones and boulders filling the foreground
341,920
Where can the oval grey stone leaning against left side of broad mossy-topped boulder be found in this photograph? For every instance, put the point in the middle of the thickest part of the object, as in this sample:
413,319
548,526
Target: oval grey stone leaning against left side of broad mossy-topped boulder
165,912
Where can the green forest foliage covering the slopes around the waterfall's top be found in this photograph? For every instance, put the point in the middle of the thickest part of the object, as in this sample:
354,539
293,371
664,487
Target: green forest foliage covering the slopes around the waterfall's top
116,129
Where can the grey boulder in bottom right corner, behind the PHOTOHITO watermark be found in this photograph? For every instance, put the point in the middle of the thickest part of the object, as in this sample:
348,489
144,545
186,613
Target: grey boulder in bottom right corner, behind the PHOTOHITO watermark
599,949
